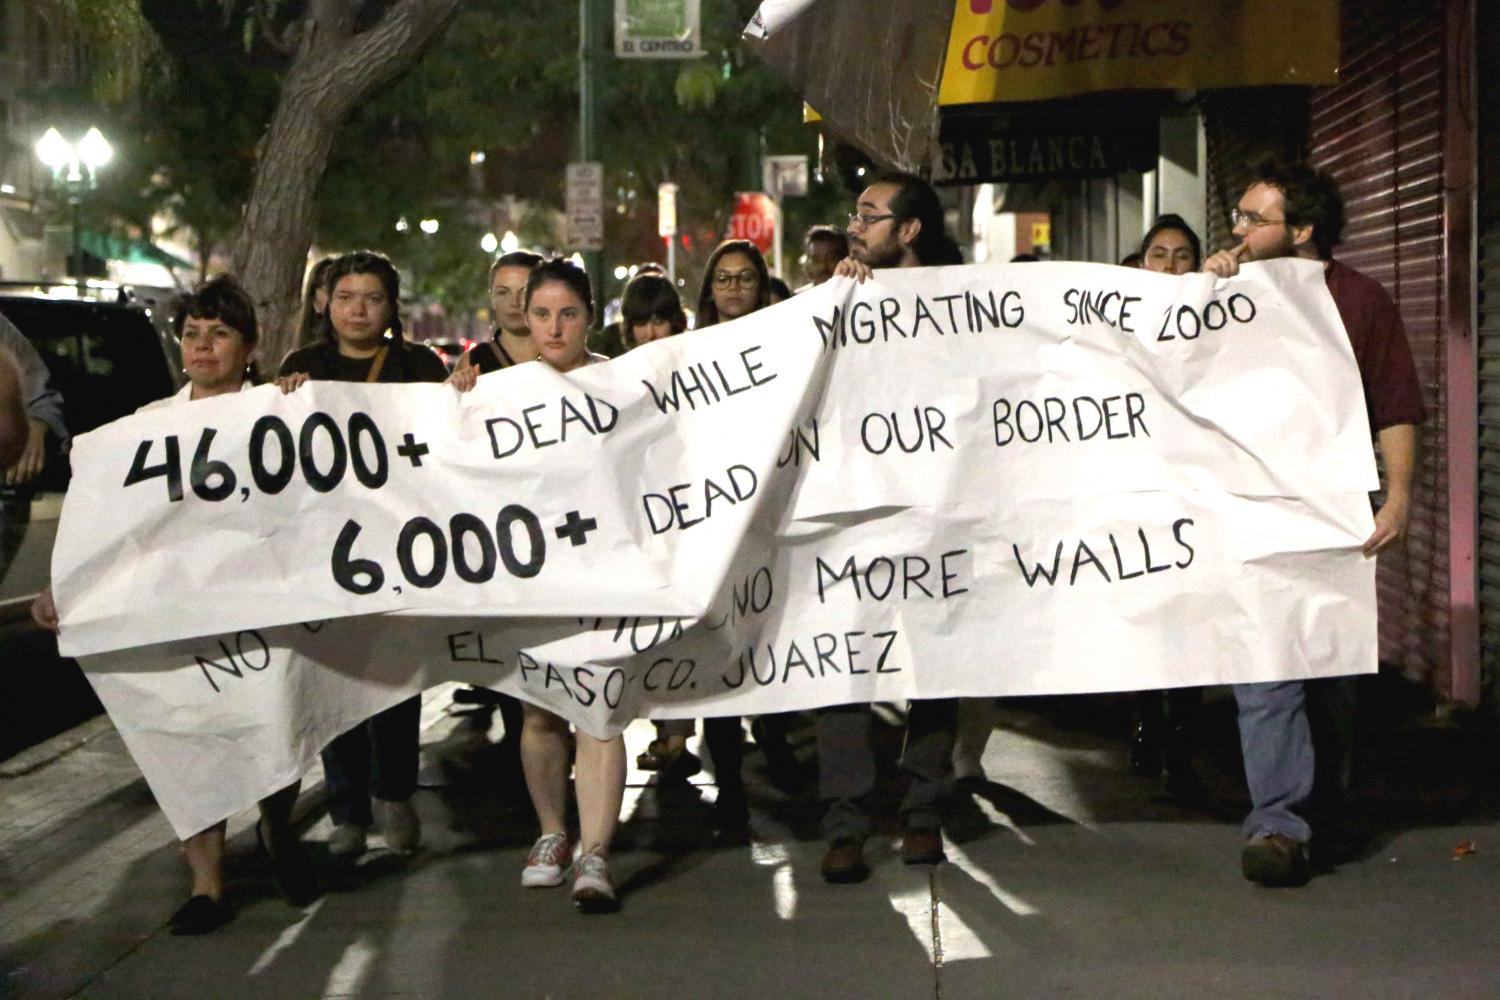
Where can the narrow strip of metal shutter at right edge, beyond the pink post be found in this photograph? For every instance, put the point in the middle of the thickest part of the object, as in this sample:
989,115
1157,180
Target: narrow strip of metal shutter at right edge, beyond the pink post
1489,335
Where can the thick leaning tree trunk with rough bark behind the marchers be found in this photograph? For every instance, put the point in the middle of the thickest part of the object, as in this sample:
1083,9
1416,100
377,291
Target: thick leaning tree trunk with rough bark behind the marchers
331,76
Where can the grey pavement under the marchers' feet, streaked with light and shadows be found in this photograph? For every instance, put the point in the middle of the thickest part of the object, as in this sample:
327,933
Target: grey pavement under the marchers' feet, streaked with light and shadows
1067,876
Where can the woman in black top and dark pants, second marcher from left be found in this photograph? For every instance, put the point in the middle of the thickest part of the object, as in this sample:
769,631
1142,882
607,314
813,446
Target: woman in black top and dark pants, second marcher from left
362,343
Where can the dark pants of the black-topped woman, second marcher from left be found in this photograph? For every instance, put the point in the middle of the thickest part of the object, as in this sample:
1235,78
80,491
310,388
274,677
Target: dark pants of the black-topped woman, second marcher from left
376,758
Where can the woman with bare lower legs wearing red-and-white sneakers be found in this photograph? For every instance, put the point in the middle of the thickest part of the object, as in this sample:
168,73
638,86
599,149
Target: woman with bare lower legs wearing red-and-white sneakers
560,310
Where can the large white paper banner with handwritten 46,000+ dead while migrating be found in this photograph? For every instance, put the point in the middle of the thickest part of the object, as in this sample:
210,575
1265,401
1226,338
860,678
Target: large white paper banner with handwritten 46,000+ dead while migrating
1003,481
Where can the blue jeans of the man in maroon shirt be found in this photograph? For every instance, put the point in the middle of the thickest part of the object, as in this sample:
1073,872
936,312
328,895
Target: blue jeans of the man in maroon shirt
1276,740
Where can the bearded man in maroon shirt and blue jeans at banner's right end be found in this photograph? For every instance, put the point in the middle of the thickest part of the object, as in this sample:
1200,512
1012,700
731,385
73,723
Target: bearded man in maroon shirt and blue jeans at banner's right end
1295,211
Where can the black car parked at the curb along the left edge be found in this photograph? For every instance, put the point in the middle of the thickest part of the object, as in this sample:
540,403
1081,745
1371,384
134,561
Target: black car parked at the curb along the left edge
107,359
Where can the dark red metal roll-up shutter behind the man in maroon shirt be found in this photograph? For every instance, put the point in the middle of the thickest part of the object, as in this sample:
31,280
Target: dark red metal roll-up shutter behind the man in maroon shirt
1381,133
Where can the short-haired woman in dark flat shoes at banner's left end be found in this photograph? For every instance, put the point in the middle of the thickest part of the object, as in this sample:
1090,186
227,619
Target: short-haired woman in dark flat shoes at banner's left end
218,332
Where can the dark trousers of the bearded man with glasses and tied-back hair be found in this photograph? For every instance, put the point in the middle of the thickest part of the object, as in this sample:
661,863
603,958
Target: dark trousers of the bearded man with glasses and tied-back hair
847,767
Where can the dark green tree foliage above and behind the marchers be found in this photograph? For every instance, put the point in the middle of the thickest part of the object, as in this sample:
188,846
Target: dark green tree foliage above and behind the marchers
502,80
